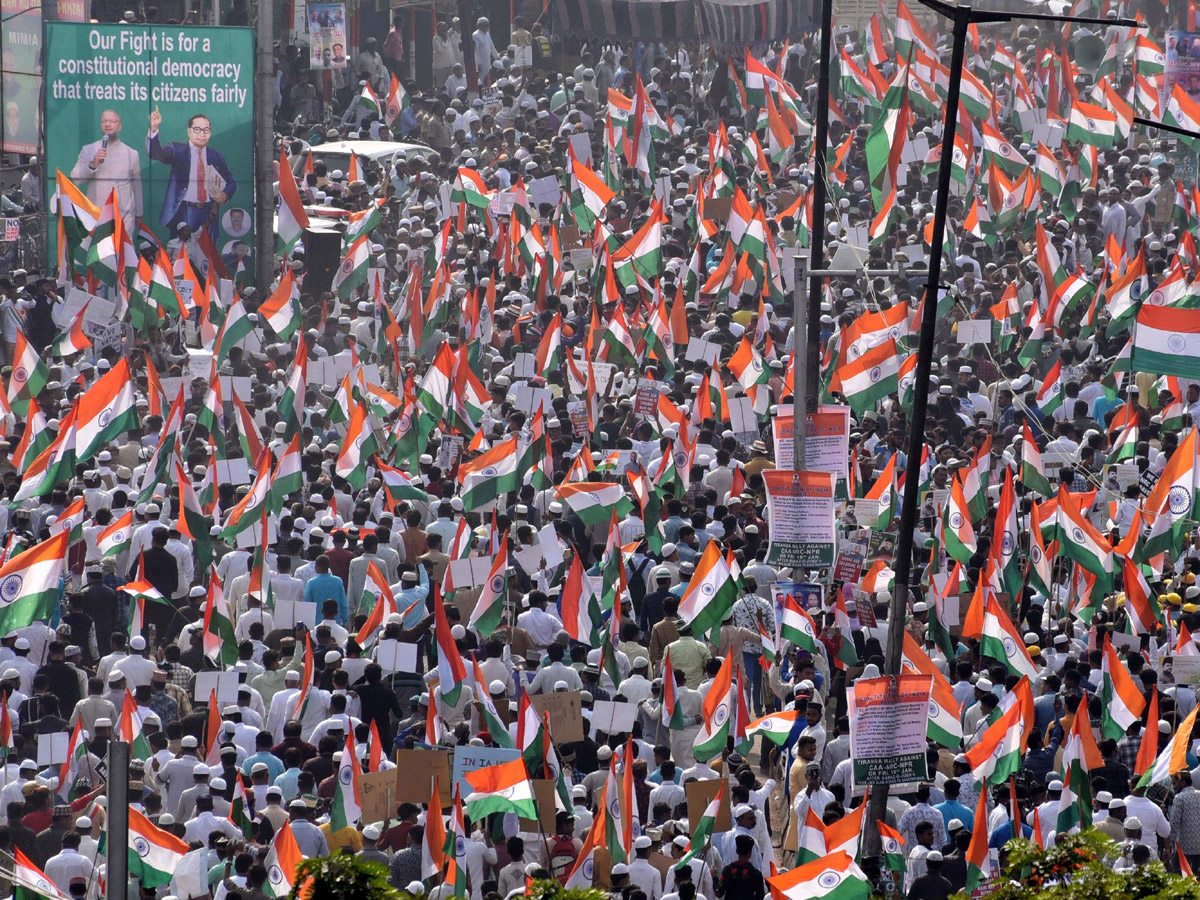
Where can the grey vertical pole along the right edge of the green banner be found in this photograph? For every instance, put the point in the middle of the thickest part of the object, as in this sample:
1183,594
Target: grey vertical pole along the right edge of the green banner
265,141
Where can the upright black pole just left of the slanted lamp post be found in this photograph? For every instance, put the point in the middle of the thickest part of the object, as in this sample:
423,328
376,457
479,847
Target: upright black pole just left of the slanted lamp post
818,236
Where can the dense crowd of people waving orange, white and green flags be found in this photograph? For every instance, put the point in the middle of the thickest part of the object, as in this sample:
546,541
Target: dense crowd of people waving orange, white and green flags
280,539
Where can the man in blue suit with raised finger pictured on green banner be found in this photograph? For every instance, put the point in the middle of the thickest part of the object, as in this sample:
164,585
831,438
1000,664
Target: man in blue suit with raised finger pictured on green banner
200,178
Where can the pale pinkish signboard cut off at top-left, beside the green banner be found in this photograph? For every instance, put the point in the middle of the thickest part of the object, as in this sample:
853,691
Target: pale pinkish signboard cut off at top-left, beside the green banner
22,75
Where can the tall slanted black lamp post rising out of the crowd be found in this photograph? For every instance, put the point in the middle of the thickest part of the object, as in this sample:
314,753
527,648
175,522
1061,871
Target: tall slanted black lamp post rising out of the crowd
903,562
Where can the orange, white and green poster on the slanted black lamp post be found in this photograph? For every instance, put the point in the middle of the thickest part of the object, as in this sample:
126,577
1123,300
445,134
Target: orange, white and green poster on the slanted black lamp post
887,729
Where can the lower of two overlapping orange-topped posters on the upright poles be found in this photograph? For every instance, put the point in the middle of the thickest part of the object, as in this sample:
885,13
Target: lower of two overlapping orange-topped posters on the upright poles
801,518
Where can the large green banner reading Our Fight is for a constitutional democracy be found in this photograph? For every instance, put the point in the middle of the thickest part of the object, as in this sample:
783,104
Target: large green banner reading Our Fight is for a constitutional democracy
178,73
